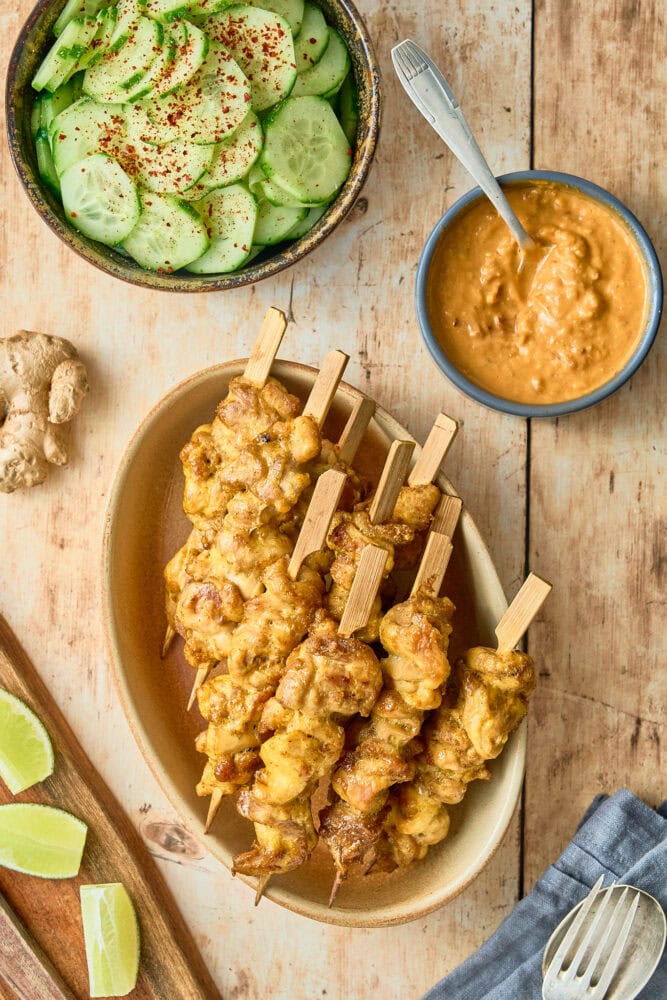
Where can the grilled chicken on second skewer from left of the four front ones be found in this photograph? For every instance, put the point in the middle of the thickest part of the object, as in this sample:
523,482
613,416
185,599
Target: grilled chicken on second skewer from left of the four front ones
328,680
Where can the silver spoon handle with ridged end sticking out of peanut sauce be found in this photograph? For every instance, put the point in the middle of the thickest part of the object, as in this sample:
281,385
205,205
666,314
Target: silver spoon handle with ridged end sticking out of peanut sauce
431,94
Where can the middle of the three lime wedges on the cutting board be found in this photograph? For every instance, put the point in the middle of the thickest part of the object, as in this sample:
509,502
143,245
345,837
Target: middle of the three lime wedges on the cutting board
40,840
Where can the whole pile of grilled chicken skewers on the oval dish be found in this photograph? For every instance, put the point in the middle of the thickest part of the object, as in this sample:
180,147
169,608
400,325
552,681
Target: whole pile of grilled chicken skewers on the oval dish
306,668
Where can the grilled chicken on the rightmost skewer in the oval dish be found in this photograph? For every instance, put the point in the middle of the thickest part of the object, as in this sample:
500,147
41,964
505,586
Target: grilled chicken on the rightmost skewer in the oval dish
488,700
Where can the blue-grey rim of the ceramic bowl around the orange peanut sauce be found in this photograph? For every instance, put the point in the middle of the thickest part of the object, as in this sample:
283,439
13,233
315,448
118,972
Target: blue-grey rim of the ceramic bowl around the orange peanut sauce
655,295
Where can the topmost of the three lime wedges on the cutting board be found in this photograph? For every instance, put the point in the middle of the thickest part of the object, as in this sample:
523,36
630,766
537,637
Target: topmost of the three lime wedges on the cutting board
26,754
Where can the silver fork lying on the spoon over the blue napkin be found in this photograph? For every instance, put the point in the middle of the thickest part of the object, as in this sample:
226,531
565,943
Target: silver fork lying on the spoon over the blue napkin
606,933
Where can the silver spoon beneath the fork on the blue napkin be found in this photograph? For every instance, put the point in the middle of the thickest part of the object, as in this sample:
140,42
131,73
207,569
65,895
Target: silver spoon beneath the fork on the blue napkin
643,948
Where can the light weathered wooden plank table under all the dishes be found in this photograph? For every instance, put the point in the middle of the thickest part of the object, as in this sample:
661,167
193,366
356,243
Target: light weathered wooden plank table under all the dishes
572,87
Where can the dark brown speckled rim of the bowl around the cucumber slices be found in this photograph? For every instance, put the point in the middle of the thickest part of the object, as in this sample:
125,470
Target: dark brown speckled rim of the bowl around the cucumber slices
34,40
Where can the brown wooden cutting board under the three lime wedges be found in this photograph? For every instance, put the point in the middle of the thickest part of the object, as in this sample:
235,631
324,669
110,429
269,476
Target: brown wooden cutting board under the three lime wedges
171,967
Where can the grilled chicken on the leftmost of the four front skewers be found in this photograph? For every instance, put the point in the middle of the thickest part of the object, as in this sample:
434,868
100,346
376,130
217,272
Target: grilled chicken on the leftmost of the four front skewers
272,625
